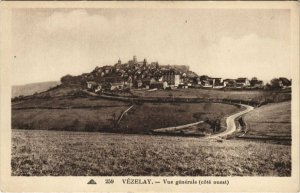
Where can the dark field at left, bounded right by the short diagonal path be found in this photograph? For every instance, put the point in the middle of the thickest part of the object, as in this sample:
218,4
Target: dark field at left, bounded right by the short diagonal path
66,119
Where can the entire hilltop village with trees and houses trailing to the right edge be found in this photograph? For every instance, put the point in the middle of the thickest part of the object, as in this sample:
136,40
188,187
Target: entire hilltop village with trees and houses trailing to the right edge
136,74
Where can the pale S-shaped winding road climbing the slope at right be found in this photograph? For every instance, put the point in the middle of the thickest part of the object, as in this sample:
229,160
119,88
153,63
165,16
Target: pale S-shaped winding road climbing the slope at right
231,127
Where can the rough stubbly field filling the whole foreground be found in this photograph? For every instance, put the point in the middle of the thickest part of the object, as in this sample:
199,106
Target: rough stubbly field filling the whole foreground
57,153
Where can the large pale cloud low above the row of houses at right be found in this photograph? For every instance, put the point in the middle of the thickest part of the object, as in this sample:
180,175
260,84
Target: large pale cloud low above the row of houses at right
249,55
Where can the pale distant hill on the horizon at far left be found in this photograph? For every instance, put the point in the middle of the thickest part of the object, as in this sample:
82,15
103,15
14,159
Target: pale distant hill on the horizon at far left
29,89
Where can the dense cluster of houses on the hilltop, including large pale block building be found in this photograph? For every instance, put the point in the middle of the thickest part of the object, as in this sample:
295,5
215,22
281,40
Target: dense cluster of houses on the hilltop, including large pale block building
135,74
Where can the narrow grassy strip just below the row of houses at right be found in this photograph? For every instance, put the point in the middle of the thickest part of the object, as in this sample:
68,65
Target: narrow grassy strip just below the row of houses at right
258,96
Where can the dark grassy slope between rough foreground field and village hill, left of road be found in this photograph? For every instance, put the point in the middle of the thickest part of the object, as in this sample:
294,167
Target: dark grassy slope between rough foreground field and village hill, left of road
88,113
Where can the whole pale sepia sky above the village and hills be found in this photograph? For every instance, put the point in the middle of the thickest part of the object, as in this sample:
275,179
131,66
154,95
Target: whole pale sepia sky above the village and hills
50,43
